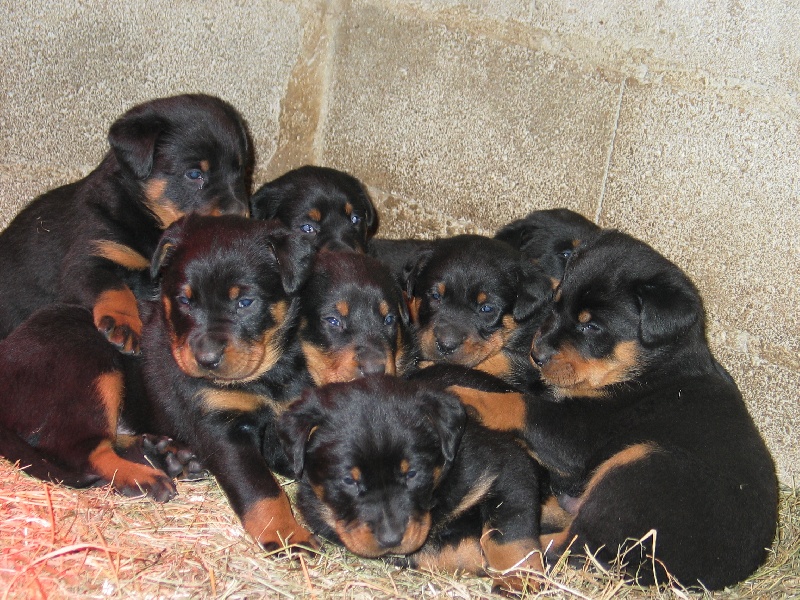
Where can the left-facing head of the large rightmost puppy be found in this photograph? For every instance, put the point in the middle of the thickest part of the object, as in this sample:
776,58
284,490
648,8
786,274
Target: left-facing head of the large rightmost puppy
621,310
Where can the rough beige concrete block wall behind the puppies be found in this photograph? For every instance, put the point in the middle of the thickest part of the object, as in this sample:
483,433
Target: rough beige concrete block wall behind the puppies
676,121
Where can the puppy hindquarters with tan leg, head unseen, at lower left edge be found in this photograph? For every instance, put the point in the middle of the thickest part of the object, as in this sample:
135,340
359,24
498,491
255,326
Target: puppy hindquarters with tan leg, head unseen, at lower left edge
61,386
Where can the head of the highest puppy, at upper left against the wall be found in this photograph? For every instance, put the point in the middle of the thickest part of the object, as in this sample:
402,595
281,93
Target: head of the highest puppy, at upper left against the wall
182,154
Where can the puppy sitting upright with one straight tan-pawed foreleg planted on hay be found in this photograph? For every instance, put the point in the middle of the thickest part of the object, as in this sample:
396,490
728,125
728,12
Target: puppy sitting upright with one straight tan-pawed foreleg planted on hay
219,357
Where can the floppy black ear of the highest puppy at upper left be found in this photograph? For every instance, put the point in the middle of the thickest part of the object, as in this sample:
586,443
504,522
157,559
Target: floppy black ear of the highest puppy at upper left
133,139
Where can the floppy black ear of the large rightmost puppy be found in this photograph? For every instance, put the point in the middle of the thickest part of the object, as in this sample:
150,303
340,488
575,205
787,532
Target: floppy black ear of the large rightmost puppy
668,307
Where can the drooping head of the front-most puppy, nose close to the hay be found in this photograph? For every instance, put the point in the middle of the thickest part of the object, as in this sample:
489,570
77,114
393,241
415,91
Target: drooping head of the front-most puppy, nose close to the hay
370,454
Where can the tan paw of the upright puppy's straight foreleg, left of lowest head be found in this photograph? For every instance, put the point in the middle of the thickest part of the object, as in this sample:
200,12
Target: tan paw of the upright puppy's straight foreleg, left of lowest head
271,522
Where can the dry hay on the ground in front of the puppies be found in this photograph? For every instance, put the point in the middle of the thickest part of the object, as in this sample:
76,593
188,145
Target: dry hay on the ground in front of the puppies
61,543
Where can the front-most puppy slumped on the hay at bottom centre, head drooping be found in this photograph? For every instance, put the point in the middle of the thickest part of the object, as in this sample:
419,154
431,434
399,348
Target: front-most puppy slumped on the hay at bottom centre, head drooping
390,467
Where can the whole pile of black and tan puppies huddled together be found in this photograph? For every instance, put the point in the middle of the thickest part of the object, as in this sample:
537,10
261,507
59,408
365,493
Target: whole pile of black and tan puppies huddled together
469,404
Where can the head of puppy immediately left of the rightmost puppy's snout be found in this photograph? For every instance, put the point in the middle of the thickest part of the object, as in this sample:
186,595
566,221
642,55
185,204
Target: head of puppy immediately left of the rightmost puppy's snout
475,301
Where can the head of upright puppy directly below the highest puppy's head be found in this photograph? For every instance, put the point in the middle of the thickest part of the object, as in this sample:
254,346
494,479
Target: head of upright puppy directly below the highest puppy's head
227,293
